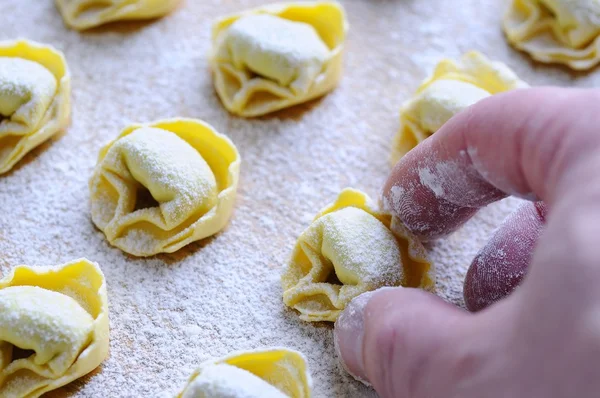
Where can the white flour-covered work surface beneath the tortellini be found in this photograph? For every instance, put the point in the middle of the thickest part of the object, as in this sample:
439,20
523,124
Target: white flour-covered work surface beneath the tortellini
171,312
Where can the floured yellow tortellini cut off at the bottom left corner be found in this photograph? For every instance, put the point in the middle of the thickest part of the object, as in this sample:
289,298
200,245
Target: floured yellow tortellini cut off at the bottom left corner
53,327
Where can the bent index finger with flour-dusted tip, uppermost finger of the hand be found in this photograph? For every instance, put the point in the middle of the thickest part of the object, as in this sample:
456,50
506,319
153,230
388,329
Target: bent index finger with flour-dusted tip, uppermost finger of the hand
491,150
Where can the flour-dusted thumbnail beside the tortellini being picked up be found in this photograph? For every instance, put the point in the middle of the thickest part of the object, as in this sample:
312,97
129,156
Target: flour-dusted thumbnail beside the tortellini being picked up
349,336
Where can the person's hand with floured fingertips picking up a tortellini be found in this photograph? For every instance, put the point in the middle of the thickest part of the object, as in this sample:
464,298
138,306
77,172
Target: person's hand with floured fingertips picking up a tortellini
542,340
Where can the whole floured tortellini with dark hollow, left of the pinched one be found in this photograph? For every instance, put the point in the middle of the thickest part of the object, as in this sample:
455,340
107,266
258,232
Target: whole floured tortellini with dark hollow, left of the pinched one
161,186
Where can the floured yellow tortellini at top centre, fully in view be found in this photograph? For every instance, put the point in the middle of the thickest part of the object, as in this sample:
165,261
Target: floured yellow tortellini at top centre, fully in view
277,56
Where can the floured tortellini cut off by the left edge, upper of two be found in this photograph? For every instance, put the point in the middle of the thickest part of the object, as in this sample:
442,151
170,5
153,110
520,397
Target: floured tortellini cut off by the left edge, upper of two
35,87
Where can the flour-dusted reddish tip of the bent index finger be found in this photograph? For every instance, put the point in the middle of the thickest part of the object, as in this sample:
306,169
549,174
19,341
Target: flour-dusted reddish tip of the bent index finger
434,189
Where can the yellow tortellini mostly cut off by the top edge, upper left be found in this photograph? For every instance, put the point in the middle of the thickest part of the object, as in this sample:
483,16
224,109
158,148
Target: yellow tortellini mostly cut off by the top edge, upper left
85,14
